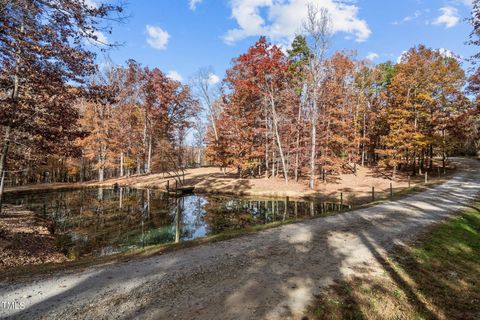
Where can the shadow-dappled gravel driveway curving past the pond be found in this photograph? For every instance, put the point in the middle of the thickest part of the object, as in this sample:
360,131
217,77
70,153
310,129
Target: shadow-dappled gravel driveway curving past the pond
269,275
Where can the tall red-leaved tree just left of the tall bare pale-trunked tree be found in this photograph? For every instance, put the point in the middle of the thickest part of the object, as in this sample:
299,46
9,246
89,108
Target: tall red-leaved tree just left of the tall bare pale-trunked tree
259,94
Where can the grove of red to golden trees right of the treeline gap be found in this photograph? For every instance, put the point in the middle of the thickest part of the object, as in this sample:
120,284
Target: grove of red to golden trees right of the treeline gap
298,114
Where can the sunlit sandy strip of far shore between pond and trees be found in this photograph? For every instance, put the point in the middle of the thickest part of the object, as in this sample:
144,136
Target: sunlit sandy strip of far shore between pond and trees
210,181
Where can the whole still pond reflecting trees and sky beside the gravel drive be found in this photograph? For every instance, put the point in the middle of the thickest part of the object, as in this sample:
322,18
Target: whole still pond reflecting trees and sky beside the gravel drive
99,222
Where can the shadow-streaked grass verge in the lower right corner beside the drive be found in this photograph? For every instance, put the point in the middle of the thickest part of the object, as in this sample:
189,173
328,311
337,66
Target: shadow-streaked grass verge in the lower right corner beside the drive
436,278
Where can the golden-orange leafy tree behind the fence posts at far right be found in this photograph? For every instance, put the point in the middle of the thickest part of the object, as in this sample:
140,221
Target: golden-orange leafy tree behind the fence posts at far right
425,97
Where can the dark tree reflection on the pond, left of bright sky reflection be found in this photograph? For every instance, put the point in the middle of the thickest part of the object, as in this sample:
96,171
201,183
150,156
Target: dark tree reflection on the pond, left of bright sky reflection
104,221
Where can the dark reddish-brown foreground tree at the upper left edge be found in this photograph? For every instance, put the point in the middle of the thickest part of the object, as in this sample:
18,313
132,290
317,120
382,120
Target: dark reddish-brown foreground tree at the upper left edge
42,54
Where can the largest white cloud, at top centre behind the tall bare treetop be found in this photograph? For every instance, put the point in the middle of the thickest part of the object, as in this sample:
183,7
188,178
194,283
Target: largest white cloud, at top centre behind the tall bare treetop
282,19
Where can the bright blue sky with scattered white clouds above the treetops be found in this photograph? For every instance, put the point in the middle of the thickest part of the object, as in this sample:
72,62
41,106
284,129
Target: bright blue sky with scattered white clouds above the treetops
180,36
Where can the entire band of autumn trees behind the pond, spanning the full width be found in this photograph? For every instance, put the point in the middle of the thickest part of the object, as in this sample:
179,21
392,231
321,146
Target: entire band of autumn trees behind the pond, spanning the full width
300,113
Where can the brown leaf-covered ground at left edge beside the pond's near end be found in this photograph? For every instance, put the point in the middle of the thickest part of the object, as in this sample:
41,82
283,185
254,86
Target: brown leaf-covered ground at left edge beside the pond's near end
25,239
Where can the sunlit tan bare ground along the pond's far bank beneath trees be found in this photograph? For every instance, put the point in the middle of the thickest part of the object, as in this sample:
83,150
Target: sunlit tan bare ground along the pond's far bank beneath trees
212,180
